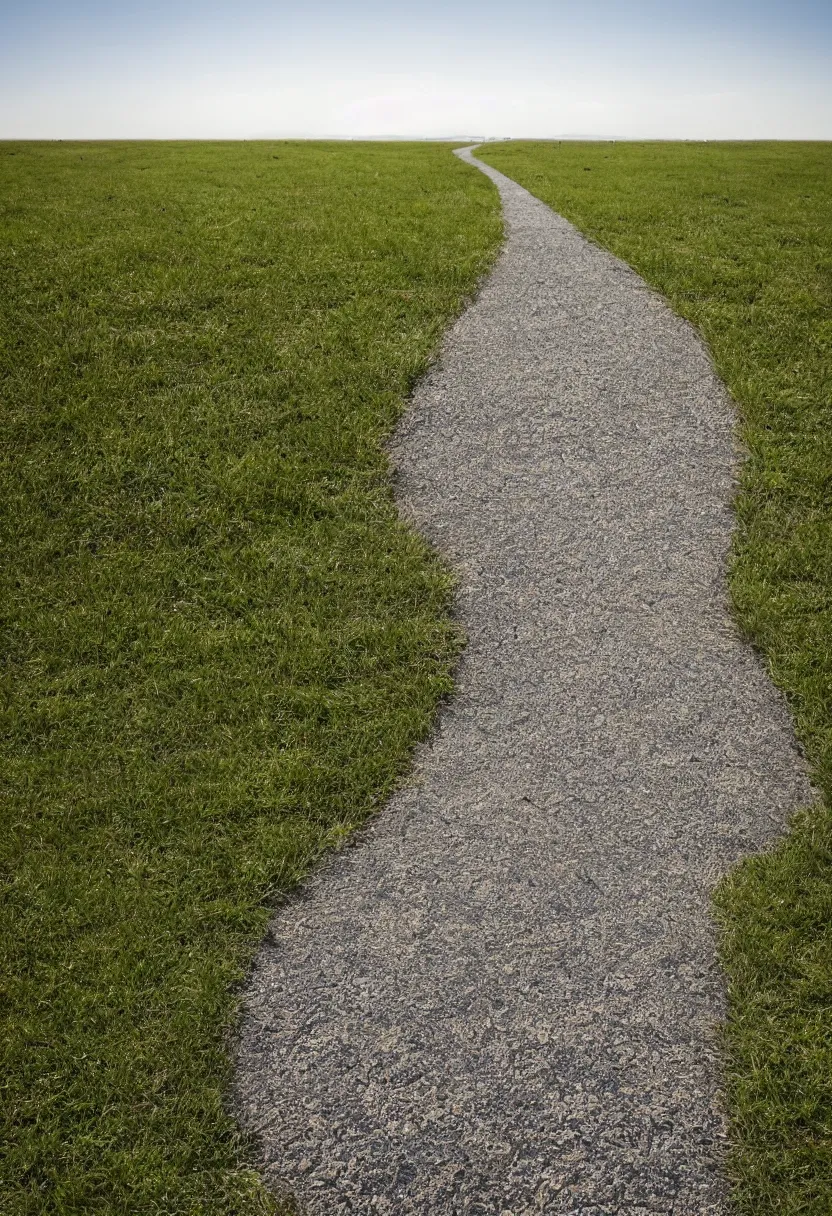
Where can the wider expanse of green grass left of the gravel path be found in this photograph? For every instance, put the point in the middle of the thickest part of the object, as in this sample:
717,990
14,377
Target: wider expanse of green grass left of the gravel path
221,644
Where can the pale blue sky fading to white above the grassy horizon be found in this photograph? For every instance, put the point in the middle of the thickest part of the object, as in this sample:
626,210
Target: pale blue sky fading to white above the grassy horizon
361,69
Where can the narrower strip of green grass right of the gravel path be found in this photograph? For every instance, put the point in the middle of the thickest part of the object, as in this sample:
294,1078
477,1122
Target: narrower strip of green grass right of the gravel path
739,238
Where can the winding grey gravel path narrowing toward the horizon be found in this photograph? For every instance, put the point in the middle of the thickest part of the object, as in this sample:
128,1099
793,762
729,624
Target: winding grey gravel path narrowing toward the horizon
503,999
